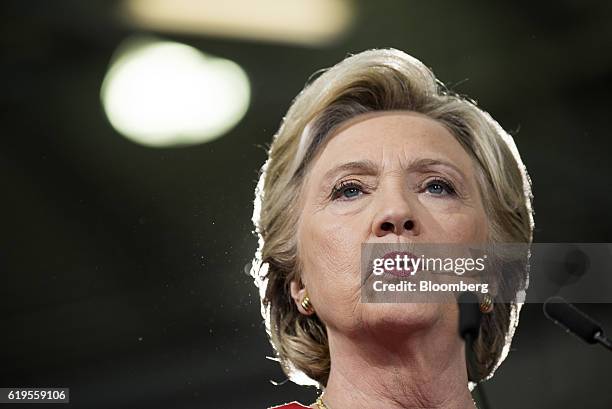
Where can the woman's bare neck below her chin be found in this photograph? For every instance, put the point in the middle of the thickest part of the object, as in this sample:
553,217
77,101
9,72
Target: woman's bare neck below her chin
427,370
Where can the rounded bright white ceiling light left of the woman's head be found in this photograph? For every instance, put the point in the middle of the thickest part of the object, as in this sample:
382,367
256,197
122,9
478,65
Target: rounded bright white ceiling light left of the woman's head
161,93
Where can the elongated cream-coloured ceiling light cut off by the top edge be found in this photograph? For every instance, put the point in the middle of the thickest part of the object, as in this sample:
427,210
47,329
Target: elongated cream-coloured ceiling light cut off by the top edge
311,22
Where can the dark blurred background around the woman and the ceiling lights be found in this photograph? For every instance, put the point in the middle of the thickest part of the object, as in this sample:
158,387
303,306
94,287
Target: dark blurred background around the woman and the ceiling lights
123,267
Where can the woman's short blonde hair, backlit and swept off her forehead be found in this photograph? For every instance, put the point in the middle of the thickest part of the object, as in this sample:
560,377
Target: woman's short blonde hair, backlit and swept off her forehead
375,80
